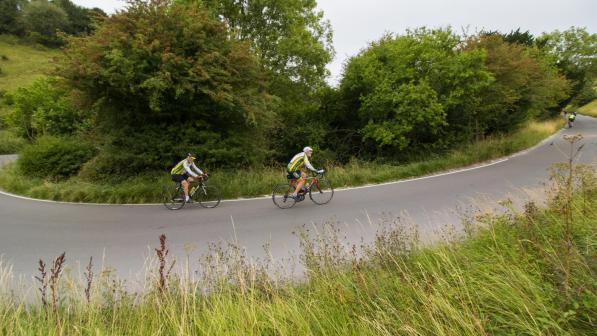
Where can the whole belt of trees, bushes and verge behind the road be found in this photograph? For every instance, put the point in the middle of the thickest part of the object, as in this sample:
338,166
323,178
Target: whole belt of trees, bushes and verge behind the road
140,88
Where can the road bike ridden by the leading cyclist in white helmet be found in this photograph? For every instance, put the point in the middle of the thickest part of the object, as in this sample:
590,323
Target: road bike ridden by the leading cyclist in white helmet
318,187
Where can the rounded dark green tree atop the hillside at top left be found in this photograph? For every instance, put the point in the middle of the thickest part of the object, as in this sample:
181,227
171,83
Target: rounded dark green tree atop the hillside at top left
43,20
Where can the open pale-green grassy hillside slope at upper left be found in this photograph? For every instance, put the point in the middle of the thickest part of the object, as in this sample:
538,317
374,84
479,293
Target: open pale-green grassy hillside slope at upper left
22,63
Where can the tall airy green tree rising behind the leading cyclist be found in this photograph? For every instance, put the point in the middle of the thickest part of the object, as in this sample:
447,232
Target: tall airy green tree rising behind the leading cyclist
294,44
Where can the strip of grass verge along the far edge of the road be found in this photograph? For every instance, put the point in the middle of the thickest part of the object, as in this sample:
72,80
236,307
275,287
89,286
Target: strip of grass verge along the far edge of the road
252,182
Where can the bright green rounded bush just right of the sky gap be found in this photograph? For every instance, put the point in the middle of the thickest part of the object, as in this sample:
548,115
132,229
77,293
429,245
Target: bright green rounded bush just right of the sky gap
407,90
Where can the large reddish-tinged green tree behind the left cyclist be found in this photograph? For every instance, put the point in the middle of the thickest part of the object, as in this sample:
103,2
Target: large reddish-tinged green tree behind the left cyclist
166,77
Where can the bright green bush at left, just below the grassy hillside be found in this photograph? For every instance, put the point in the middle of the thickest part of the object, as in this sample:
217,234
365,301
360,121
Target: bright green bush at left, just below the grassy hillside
43,108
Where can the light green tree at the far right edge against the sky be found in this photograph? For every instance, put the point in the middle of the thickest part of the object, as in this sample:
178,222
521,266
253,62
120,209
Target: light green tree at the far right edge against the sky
574,52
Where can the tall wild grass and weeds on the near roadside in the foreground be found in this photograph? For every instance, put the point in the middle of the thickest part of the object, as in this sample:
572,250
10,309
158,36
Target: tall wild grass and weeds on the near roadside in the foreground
529,272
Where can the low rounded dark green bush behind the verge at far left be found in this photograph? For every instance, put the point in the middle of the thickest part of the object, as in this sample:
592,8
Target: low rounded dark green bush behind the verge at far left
54,158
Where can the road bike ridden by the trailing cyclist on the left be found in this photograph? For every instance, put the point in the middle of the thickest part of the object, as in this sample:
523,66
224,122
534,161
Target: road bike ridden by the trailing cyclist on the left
206,195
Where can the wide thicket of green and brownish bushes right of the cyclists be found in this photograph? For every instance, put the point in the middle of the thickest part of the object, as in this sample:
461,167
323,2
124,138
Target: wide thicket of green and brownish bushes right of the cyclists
430,90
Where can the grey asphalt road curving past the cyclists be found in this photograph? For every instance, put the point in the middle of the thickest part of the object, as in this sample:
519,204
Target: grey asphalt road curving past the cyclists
121,234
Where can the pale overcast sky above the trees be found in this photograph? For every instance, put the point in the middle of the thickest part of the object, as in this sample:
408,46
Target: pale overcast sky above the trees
358,22
